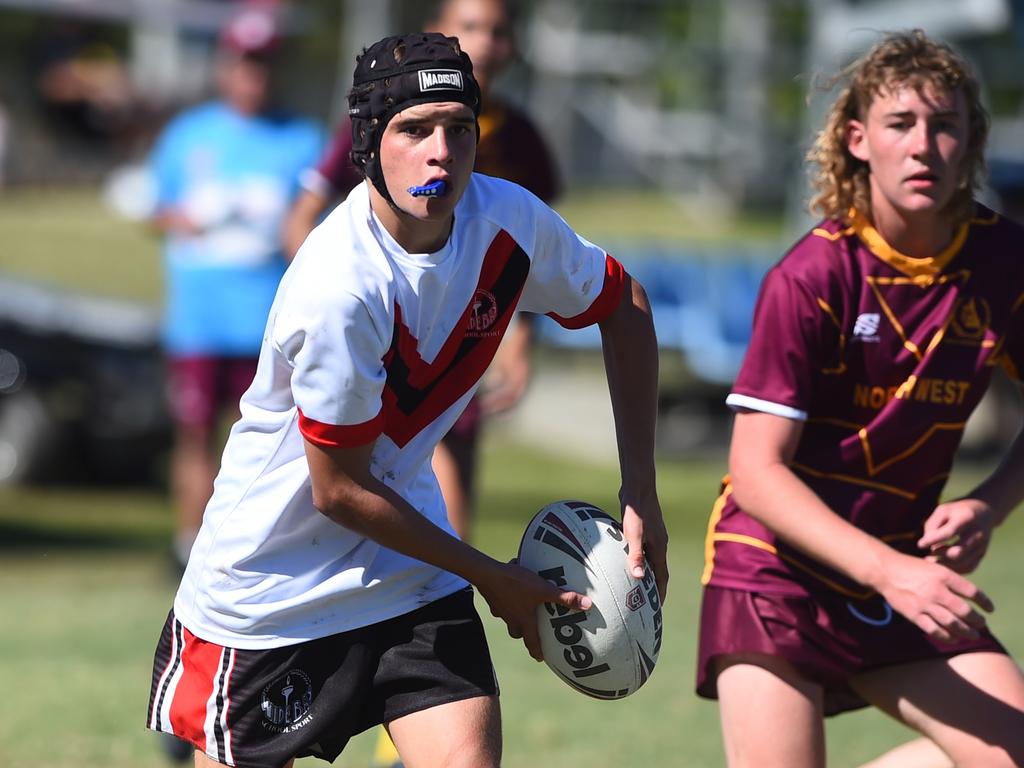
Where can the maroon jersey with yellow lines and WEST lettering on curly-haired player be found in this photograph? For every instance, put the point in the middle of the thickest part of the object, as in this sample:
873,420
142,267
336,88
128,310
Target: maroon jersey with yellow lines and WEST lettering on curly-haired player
883,357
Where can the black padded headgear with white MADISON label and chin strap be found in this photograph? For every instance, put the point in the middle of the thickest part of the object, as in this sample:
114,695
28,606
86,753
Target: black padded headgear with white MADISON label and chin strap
398,73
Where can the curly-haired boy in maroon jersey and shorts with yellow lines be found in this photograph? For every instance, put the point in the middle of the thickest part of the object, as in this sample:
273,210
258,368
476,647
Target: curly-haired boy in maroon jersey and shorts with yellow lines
833,576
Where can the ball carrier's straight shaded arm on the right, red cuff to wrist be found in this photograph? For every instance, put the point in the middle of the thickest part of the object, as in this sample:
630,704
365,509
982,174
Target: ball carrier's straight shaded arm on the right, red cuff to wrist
630,348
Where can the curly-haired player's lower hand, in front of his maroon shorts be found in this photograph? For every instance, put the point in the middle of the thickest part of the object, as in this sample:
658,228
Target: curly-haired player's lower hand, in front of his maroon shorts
938,601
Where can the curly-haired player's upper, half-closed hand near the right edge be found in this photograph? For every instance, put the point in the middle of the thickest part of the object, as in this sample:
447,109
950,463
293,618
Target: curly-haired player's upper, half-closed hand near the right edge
958,533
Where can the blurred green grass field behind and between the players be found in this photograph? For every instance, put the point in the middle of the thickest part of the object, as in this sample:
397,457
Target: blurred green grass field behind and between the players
86,581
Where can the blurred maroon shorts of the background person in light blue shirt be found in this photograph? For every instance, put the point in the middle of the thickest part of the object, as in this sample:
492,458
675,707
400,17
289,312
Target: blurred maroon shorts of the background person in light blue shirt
201,389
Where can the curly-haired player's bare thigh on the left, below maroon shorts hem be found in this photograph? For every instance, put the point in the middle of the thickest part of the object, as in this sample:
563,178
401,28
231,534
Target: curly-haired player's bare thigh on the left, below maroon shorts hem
772,715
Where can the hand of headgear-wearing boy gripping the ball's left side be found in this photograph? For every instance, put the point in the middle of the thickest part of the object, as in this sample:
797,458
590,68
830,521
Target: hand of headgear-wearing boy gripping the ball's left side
514,593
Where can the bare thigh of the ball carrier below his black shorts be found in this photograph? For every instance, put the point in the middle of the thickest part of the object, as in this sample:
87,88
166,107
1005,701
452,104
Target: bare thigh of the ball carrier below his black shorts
460,735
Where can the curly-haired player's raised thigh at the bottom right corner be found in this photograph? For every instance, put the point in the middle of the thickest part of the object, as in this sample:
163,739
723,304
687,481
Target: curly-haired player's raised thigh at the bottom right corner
972,705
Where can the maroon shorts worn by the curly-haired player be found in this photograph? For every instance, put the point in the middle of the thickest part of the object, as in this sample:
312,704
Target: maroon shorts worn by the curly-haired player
828,638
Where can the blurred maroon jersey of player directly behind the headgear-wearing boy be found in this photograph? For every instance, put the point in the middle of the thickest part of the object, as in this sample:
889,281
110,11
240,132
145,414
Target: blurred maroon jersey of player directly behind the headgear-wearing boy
510,148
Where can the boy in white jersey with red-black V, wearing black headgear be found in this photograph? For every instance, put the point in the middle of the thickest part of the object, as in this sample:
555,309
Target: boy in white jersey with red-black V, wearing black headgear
326,593
